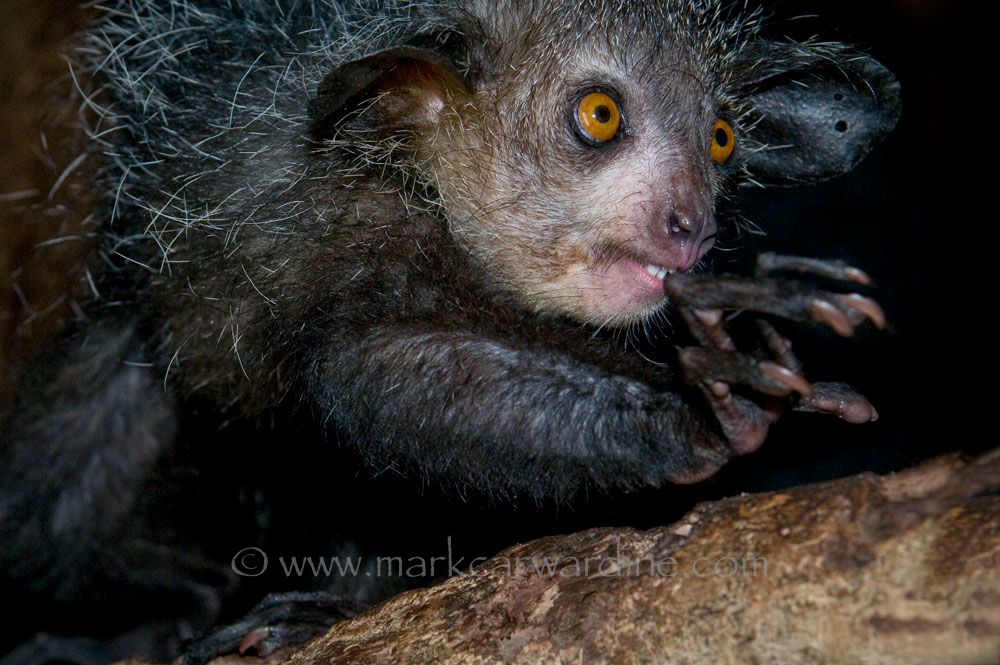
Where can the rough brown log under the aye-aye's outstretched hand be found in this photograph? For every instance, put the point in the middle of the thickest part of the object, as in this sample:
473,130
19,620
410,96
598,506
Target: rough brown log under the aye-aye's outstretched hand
897,569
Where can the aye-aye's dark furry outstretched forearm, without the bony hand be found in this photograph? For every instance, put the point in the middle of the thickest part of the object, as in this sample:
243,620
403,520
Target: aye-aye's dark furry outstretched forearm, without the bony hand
448,403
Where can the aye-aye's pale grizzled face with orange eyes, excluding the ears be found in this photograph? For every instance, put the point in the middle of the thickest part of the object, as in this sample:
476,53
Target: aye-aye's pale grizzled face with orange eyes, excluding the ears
585,163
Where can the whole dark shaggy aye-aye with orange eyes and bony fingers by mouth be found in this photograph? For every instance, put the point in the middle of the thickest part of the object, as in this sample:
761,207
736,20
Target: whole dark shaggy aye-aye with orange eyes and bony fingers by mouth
435,233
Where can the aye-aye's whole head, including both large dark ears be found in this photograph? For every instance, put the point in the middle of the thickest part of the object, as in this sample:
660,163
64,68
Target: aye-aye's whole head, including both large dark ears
577,149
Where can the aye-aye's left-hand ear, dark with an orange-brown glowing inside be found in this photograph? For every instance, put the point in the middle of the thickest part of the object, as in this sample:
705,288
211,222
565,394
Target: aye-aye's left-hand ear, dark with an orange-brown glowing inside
403,87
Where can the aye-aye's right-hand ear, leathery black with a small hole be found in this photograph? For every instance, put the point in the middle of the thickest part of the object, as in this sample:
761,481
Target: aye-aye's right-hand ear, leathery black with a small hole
815,112
